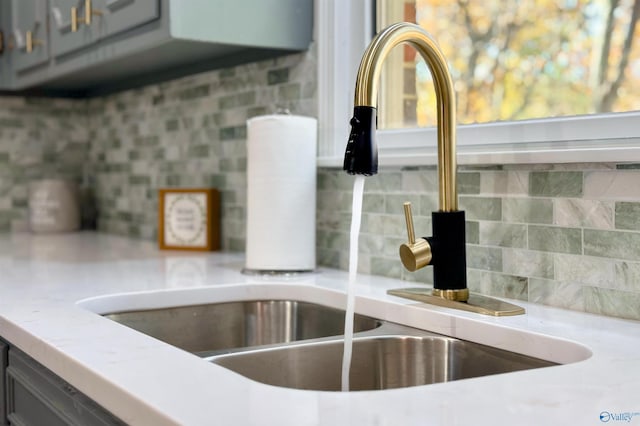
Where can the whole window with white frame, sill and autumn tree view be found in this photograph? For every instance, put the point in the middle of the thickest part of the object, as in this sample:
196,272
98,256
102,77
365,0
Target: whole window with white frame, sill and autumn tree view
504,100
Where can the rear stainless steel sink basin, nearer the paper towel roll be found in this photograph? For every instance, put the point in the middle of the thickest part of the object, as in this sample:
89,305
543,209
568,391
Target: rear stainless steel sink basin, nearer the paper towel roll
220,327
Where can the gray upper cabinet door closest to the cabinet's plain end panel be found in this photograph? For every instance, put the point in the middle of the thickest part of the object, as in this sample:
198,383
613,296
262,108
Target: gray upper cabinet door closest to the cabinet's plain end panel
76,24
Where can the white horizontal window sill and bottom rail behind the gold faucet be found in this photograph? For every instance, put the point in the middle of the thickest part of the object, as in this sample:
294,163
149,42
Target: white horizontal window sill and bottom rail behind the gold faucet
581,139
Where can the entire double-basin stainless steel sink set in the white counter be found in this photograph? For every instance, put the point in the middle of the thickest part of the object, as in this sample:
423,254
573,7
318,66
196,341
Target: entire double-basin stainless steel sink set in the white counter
299,345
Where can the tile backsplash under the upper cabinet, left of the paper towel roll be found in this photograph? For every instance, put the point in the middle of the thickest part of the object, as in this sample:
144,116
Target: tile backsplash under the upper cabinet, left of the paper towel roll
190,132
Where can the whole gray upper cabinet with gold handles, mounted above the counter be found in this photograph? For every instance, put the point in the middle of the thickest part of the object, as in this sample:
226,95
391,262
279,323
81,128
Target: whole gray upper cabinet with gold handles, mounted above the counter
117,44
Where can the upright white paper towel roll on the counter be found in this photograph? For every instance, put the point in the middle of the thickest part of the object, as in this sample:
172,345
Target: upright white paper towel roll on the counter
281,193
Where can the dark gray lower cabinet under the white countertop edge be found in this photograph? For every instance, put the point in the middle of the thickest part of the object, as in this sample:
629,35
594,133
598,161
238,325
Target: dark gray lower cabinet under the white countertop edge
32,395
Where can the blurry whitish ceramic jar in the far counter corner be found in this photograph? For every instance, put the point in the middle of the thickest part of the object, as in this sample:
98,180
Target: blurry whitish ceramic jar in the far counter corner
53,206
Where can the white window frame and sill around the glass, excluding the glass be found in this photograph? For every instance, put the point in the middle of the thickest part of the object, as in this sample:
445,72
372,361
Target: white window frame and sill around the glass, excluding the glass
344,29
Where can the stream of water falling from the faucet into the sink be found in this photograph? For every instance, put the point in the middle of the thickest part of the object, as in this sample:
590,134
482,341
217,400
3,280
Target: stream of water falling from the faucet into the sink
356,217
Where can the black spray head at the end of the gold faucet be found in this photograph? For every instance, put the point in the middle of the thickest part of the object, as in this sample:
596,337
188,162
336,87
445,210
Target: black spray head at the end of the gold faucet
361,155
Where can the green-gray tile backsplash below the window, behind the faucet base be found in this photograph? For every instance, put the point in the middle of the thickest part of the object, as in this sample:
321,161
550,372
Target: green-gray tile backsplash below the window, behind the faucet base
563,235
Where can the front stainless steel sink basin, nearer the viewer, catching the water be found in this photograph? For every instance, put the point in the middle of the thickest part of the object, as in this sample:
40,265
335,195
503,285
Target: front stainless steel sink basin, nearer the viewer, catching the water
393,356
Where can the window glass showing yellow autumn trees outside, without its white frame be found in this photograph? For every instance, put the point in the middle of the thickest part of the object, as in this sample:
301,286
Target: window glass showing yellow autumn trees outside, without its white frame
514,60
